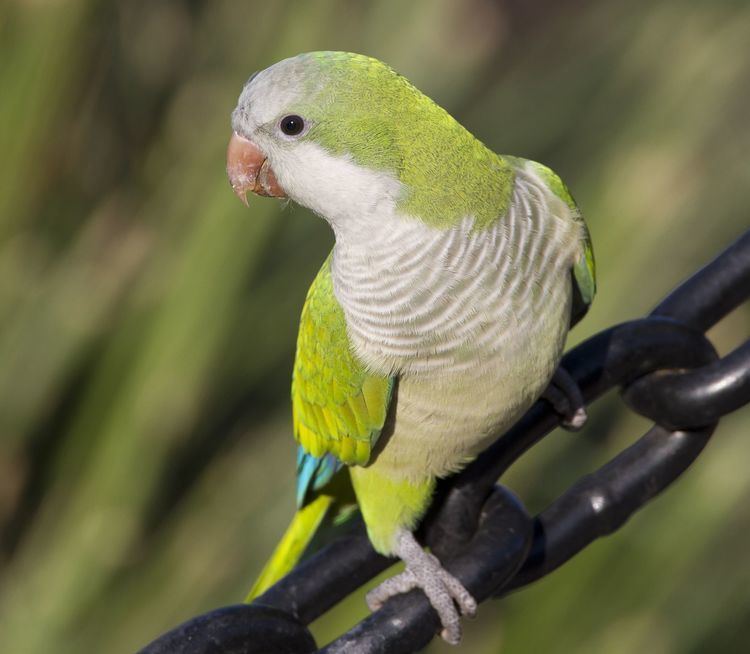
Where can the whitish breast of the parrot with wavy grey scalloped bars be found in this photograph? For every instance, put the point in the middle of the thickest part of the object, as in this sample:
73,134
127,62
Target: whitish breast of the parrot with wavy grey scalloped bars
418,298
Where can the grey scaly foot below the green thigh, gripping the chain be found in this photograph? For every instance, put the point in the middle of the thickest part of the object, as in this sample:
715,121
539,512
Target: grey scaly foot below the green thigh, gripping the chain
443,590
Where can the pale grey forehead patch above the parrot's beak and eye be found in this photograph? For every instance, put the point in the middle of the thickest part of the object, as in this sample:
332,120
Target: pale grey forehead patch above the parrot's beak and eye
271,92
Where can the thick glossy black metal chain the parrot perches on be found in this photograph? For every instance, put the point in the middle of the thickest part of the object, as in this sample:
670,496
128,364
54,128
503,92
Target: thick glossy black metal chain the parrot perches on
666,369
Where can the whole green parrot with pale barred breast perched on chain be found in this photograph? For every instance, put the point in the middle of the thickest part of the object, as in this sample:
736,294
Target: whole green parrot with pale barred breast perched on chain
439,316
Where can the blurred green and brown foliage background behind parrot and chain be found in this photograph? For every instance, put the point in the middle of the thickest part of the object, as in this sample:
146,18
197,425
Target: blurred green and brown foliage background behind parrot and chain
148,320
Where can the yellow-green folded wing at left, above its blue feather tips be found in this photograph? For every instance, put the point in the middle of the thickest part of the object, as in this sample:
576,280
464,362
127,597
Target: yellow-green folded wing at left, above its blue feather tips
339,408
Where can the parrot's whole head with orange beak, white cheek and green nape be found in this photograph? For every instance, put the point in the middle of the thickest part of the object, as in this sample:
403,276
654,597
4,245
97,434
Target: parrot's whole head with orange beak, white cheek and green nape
345,135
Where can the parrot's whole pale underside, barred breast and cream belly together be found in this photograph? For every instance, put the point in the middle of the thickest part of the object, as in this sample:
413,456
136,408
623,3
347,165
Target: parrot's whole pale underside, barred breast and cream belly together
472,322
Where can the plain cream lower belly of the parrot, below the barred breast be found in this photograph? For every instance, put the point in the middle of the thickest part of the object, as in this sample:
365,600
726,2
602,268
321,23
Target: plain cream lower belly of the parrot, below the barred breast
442,421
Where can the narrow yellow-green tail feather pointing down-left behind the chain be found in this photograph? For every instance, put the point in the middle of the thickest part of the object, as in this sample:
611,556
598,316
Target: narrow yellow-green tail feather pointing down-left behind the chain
292,545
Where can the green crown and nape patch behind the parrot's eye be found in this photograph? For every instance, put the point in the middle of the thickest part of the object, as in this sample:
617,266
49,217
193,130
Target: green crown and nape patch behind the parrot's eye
362,108
